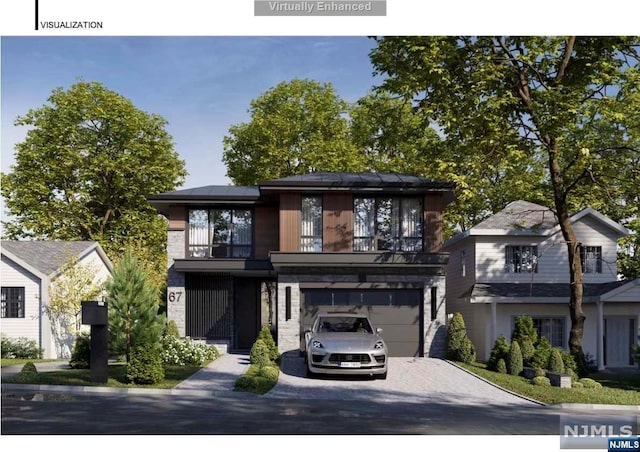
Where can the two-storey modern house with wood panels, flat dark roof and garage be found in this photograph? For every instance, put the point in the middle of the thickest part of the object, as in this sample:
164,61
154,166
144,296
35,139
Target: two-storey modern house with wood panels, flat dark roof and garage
279,252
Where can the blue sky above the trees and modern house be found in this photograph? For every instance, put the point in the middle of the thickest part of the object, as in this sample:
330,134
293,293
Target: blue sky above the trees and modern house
200,85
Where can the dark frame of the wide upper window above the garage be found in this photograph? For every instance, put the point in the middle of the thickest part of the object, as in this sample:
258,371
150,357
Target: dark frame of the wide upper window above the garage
399,243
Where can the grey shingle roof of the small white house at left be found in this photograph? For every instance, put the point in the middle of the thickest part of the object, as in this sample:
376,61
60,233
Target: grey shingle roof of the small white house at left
47,257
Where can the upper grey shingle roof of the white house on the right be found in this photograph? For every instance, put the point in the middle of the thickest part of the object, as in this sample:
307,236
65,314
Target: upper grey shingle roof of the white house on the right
525,218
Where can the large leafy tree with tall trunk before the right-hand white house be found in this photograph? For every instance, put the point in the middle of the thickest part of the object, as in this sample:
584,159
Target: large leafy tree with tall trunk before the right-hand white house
569,103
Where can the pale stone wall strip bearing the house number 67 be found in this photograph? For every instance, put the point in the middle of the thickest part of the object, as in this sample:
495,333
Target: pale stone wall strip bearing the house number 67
176,294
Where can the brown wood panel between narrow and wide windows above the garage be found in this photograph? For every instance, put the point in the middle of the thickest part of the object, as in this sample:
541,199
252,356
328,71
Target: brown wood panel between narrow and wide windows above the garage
337,222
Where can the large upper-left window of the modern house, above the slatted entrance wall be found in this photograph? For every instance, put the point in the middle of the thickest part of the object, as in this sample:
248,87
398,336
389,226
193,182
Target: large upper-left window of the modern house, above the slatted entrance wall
222,233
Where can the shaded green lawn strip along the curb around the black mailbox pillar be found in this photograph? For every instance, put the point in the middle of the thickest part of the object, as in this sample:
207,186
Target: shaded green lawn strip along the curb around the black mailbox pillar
116,377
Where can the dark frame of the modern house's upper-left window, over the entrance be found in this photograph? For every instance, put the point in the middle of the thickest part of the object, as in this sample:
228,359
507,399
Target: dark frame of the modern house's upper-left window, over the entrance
221,250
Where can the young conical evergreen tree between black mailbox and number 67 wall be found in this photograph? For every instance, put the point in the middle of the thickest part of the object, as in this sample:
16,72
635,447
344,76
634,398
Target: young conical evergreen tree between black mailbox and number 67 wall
133,307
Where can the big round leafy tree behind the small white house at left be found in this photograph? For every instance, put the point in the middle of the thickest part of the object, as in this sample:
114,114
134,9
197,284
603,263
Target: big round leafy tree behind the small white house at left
84,170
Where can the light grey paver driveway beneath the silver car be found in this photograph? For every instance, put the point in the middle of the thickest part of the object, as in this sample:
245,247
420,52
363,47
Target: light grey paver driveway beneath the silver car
419,380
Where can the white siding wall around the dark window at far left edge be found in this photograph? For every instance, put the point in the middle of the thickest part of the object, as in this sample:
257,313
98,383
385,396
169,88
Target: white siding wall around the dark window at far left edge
15,276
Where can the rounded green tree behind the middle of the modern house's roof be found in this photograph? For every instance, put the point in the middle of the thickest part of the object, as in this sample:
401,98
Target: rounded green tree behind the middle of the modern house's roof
296,127
